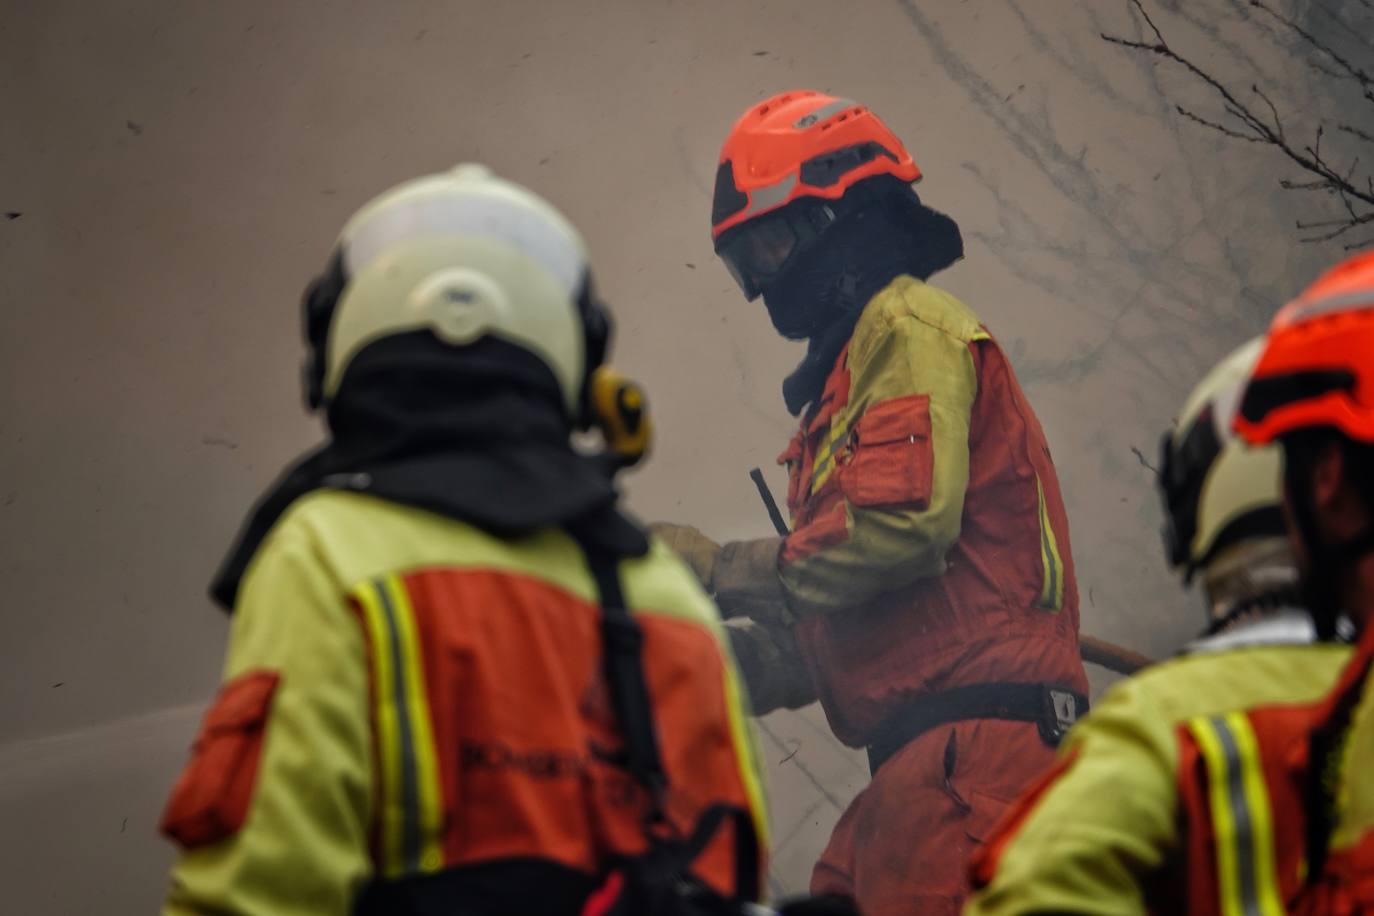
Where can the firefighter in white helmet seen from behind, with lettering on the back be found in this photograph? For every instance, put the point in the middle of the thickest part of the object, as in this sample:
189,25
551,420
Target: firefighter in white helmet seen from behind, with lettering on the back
423,707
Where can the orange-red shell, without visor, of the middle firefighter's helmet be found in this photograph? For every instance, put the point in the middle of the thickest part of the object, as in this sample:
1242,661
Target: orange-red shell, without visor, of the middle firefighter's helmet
800,145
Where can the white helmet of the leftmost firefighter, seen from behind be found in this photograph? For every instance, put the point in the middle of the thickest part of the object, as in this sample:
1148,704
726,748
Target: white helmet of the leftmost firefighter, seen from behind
465,255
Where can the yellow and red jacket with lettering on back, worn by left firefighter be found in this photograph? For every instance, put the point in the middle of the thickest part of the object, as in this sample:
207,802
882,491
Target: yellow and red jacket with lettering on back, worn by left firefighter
409,697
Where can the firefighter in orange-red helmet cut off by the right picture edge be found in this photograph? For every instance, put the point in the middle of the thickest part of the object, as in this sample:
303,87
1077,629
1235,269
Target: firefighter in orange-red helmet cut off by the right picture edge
1313,392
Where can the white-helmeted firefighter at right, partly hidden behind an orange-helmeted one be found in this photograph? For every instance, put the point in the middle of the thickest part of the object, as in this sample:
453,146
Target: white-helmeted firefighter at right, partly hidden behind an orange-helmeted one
1153,805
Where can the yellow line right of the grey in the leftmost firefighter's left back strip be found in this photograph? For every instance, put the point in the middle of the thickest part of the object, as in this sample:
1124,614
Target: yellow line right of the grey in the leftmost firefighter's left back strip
431,816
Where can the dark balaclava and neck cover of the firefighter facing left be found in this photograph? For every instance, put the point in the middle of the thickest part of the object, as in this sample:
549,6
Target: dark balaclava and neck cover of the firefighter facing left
884,234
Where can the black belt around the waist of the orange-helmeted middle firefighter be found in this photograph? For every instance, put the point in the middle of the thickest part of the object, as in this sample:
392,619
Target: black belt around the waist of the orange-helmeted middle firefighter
1053,709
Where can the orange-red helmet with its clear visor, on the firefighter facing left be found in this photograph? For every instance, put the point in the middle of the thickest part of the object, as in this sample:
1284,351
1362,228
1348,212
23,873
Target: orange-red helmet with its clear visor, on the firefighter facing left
796,145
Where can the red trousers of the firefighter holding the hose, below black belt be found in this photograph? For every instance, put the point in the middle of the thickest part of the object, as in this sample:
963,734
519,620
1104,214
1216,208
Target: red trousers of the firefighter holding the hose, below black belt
903,845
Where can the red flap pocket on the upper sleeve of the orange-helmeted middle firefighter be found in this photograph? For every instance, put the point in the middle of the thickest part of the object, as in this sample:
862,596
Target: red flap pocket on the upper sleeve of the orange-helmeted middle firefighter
891,459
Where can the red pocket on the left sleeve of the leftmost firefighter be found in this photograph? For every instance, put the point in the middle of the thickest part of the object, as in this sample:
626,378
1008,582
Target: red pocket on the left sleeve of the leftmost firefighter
211,800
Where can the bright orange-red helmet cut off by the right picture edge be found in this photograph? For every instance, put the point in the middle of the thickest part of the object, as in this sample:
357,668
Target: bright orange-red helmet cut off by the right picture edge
1318,363
